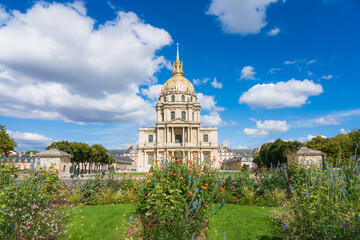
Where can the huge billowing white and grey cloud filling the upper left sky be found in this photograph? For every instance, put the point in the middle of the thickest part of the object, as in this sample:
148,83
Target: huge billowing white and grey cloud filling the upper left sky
54,64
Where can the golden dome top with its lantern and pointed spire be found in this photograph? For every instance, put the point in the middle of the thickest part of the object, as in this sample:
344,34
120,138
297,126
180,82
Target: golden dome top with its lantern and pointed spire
178,83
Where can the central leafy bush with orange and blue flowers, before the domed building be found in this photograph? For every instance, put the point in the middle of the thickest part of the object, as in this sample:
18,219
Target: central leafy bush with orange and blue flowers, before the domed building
177,200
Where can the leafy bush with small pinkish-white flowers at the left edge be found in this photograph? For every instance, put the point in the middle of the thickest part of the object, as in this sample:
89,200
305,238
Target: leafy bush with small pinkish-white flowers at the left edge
31,205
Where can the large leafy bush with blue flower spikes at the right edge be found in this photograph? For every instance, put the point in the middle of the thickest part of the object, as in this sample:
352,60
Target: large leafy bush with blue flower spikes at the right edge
323,207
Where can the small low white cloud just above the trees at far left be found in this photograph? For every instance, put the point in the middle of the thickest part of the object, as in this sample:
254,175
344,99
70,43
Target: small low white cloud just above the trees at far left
30,141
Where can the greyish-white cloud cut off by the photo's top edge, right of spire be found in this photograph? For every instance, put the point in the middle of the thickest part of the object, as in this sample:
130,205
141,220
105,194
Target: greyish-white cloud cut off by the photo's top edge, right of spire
240,16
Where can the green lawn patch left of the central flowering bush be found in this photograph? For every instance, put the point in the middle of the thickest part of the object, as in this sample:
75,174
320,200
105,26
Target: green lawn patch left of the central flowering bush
101,222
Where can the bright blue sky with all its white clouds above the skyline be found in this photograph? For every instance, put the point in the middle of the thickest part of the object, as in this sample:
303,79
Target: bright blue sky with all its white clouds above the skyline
91,71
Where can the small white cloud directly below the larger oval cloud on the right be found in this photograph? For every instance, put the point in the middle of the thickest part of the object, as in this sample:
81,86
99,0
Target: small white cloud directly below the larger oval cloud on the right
267,127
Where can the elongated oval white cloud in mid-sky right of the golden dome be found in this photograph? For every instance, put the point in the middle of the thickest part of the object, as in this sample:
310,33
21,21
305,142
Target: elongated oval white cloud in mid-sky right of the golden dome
292,93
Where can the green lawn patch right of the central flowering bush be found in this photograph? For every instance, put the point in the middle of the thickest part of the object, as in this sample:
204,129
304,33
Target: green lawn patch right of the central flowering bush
243,222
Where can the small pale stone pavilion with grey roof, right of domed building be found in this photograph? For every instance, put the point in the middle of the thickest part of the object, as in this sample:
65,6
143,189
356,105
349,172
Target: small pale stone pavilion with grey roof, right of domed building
307,156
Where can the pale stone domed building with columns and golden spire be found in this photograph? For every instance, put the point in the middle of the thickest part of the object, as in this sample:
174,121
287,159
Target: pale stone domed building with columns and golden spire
178,127
